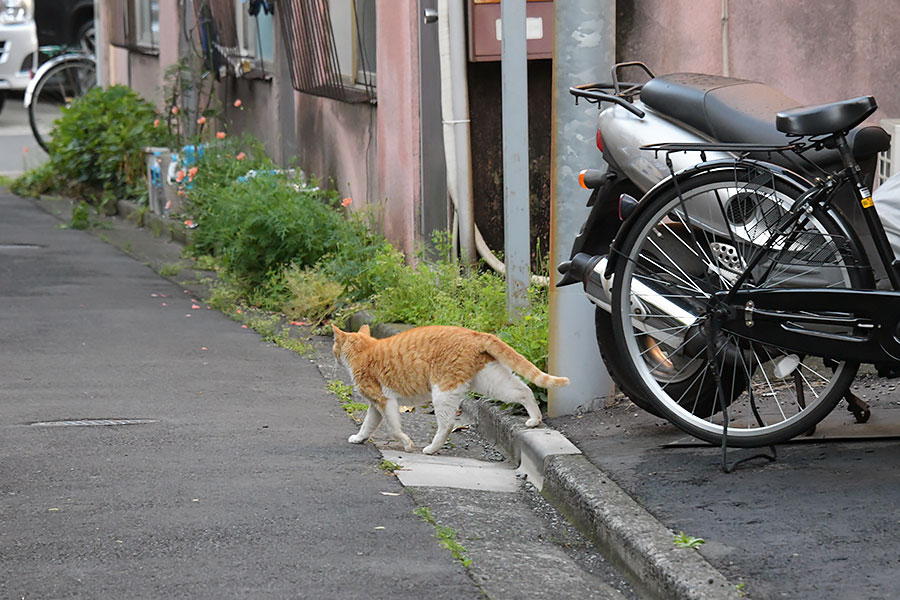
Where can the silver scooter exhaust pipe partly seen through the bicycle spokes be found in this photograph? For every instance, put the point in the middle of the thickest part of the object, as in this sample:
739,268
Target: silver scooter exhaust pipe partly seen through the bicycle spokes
590,269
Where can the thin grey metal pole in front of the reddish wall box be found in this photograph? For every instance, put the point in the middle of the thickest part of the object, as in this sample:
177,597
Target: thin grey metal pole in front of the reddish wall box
516,229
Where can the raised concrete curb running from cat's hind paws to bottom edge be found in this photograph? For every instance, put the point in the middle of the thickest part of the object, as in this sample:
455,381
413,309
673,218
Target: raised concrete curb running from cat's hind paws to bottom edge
630,537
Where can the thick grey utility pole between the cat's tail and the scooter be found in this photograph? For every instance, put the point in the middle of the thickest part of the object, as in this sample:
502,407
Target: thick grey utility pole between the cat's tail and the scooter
584,52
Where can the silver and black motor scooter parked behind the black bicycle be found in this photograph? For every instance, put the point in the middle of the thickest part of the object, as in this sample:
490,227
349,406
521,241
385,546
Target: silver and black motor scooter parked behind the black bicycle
681,108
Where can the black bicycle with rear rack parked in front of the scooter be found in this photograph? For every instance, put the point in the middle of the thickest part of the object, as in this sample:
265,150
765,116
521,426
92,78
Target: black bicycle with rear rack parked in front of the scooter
742,273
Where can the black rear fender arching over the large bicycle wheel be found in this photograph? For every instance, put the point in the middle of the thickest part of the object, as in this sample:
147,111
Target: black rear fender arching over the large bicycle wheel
682,177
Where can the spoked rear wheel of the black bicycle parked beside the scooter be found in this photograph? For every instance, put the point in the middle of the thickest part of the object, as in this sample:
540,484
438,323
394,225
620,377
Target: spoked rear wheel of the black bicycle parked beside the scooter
683,249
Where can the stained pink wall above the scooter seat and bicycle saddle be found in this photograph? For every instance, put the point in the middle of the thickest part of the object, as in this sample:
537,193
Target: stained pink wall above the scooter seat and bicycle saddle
813,50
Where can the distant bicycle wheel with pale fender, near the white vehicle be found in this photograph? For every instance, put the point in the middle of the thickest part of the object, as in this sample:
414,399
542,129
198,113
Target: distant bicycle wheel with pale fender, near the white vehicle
68,74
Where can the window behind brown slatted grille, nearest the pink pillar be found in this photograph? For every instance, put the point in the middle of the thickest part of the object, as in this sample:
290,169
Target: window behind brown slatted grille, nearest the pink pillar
331,47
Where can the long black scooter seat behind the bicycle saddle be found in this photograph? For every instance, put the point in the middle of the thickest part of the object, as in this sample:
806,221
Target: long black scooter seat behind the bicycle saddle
738,110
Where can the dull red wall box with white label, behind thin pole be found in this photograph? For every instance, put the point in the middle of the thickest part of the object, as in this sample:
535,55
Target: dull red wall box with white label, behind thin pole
485,31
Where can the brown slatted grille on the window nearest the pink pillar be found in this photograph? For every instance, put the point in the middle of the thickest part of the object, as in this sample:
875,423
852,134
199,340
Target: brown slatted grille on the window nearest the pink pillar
312,53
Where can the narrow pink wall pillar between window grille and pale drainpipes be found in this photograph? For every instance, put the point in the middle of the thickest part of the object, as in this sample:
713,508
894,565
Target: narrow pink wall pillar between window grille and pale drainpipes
398,122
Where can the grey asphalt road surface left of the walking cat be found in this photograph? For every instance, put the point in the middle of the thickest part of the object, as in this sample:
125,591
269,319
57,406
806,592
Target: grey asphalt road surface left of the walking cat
242,485
